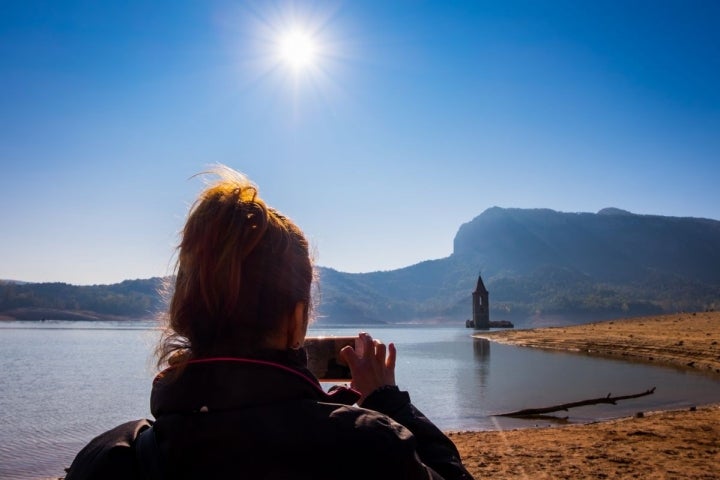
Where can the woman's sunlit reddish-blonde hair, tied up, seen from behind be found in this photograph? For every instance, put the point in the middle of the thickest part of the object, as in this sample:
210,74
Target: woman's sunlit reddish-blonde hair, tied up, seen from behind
241,269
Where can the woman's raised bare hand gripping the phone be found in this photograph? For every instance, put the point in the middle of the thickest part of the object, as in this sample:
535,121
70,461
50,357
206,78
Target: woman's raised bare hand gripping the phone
372,365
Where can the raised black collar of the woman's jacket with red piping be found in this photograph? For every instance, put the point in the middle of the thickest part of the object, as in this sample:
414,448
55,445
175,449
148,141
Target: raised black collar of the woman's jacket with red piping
228,383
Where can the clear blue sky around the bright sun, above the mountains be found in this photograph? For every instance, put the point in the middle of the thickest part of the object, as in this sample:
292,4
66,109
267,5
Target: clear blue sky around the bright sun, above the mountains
411,118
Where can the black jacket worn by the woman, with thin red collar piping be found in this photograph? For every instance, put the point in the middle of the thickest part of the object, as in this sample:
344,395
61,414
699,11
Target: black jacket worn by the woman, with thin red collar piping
267,417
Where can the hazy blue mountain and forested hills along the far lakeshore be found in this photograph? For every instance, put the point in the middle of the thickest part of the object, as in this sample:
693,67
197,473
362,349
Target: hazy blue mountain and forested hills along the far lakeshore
538,264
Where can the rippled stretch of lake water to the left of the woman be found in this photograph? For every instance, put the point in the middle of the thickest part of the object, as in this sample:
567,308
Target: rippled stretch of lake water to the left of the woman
63,383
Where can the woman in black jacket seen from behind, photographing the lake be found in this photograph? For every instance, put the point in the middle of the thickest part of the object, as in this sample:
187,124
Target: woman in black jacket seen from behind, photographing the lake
236,399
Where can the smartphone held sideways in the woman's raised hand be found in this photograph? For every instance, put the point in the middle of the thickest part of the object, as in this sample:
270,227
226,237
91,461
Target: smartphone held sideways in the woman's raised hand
323,357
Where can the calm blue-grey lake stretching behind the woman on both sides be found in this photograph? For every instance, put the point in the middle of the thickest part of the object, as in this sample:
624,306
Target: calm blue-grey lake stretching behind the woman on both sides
62,383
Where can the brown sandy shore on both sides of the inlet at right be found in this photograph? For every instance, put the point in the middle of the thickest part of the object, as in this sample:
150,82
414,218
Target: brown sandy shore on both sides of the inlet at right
674,444
